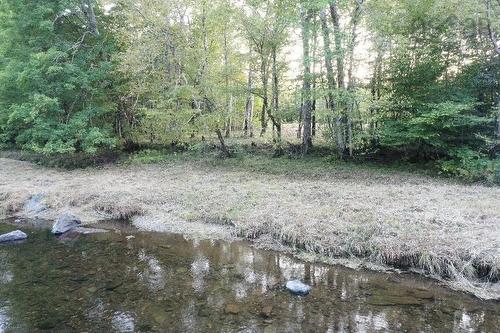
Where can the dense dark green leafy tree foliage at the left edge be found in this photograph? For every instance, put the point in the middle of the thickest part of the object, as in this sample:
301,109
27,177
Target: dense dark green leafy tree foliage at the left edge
55,79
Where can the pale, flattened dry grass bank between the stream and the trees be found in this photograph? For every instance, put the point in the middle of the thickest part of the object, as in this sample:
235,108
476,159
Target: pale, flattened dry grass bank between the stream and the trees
447,230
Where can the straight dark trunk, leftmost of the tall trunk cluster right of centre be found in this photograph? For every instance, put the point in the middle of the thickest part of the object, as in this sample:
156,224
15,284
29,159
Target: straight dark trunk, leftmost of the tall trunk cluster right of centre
306,89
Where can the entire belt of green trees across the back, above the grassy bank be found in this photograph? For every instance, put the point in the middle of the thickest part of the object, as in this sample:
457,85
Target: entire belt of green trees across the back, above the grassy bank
416,81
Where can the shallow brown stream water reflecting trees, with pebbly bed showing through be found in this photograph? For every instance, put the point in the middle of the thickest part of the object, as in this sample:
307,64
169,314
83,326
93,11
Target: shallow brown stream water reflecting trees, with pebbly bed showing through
130,281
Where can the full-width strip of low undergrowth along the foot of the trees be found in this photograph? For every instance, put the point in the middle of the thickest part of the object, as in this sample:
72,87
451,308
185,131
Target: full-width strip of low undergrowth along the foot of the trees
253,156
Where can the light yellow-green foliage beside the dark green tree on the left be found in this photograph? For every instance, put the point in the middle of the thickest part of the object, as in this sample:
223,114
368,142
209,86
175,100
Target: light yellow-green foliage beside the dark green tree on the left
186,83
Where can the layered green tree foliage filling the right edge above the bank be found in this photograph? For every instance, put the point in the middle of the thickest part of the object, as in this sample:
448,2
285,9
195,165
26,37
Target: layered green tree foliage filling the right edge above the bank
440,86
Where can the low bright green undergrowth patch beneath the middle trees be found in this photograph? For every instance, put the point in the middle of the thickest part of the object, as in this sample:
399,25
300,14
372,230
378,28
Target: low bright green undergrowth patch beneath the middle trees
261,158
